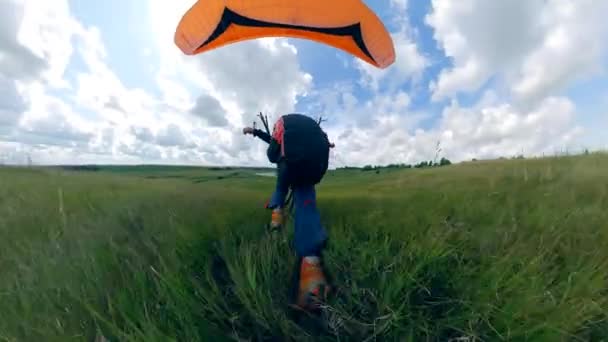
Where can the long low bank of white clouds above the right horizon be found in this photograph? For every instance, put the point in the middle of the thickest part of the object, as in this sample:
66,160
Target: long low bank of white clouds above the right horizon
490,129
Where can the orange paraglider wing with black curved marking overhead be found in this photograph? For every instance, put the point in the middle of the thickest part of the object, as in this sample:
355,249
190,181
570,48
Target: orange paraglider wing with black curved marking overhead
348,25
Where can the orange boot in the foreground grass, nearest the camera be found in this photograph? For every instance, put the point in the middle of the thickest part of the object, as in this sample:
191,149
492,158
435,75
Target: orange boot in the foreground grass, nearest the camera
313,287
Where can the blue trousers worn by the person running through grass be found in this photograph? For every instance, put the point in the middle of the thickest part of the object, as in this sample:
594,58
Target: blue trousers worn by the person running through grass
310,236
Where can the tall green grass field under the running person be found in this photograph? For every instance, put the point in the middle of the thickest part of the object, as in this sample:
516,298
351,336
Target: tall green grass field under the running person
507,250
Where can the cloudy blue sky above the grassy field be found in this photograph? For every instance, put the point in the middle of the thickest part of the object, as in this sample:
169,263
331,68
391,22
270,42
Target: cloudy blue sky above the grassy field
102,82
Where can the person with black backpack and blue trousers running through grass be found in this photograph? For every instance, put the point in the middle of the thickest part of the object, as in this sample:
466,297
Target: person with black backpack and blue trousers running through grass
301,163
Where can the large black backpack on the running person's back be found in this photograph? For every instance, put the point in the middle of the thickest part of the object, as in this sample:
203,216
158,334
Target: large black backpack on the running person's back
305,149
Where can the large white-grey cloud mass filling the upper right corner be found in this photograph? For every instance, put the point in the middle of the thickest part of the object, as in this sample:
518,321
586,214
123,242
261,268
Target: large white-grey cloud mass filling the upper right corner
537,47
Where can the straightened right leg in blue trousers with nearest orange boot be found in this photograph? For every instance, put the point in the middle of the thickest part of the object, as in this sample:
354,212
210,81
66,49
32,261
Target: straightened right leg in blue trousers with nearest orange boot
309,241
